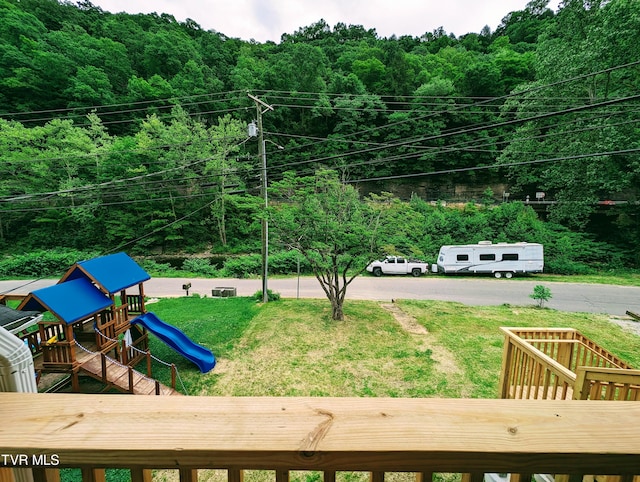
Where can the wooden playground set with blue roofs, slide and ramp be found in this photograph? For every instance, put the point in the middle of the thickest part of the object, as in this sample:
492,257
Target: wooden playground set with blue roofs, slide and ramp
100,328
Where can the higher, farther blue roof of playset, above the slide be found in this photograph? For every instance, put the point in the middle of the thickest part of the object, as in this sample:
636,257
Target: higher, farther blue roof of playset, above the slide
113,273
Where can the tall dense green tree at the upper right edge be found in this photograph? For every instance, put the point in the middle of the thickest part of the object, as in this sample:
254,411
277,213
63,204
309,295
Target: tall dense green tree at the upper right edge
586,152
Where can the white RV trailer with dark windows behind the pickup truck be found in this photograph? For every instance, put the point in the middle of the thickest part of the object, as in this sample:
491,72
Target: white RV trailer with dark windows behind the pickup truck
500,259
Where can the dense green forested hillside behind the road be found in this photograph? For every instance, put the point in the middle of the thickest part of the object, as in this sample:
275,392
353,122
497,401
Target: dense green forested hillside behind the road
123,131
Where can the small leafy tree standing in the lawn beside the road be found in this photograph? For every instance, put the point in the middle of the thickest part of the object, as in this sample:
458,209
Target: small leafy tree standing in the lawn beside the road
326,221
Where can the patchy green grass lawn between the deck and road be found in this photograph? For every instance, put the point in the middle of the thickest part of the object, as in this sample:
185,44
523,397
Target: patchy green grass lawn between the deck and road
292,348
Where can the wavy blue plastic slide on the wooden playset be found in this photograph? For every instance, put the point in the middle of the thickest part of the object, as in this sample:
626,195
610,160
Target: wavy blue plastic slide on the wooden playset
176,339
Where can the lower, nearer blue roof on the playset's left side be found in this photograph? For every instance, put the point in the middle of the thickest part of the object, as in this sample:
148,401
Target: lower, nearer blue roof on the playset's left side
70,301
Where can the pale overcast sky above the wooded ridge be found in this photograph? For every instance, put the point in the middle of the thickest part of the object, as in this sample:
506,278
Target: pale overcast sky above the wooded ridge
264,20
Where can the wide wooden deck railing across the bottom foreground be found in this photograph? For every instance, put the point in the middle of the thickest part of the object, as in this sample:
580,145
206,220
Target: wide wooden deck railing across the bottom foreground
326,435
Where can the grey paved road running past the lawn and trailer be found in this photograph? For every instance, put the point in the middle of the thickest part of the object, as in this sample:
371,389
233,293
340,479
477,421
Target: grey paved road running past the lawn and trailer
575,297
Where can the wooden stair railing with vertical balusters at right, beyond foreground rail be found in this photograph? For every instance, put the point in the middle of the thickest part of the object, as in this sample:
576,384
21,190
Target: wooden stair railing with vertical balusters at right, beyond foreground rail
546,363
